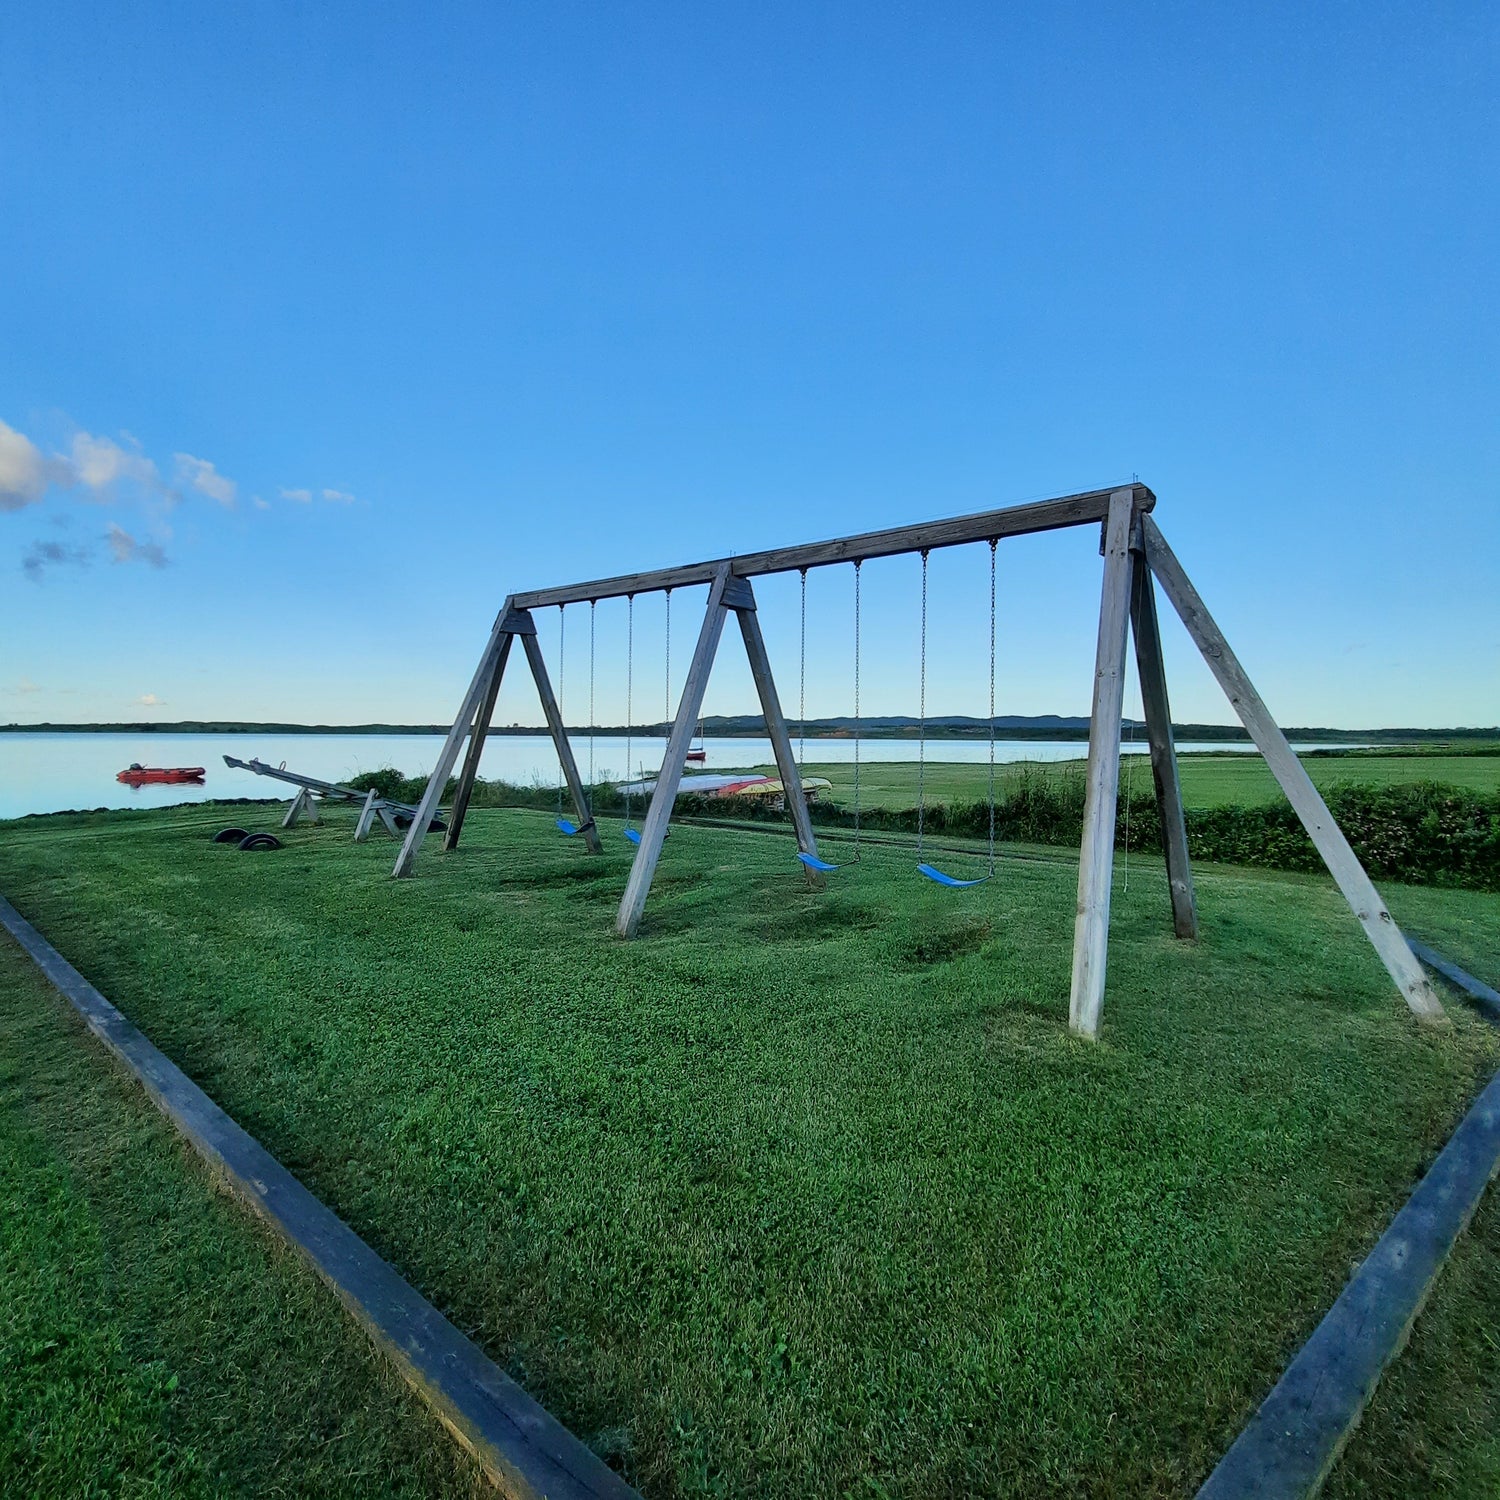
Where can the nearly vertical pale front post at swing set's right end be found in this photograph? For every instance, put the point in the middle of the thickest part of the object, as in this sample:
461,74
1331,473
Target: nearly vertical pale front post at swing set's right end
1091,931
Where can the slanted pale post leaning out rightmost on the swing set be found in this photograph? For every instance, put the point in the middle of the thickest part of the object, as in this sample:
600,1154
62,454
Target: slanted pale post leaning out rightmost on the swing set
1330,839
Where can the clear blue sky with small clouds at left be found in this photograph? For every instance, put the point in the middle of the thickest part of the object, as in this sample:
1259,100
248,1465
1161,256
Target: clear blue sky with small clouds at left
325,328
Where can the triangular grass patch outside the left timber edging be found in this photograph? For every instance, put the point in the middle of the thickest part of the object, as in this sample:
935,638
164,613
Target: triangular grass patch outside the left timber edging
154,1342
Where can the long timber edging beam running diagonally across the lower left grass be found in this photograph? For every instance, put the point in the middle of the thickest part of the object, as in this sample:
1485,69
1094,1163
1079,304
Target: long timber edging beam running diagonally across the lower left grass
527,1453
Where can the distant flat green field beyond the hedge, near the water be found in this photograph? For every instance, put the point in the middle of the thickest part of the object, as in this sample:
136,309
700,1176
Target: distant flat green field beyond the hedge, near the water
1208,781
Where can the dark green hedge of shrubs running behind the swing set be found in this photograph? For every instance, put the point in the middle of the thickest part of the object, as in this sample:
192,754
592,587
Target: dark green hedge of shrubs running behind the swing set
1421,833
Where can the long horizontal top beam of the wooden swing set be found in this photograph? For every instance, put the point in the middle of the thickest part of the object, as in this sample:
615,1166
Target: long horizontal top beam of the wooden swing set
1048,515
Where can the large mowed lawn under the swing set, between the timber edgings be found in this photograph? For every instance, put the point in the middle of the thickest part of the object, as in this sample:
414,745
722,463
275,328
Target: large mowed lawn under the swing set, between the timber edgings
808,1192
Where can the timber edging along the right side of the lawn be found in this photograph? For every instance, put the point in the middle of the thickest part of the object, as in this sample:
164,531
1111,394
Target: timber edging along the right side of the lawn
1294,1441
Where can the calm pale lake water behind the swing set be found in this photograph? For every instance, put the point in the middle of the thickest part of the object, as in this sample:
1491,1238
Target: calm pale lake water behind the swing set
47,773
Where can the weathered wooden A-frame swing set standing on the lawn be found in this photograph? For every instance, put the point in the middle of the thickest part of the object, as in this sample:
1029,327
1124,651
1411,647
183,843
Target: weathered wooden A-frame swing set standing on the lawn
1136,559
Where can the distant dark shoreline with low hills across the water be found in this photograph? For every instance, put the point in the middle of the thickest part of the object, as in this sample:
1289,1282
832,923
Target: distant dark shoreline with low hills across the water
752,727
